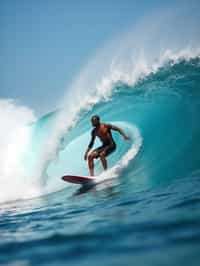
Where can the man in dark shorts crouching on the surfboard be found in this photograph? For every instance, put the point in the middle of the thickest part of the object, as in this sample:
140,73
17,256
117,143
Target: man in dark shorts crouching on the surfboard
103,131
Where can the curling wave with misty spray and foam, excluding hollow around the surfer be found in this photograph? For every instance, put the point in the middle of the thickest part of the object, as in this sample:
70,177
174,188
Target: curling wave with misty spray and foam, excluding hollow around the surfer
143,78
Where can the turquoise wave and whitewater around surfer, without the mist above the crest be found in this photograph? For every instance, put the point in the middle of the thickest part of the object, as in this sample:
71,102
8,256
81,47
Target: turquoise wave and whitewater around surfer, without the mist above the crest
155,109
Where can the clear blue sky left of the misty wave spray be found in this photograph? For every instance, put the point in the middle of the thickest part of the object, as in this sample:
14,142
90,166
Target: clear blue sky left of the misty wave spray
45,43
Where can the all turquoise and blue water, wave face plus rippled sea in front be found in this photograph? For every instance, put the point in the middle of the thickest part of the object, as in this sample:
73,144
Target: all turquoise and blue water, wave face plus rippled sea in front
149,211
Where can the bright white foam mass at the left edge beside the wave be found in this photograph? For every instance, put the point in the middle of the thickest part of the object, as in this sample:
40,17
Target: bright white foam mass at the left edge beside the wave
14,138
